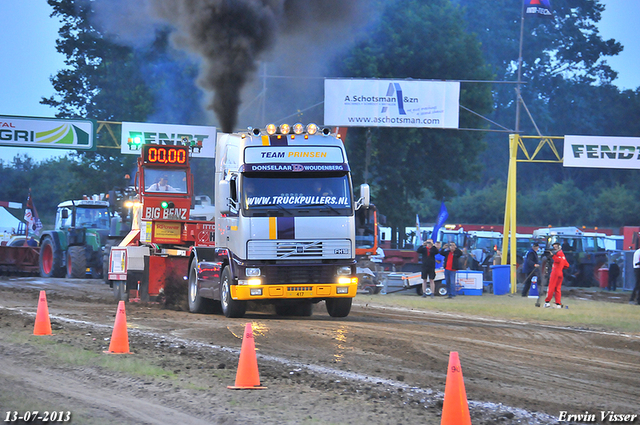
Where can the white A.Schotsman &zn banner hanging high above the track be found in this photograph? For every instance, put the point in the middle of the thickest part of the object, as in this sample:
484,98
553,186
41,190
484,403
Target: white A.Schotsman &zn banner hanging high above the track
391,103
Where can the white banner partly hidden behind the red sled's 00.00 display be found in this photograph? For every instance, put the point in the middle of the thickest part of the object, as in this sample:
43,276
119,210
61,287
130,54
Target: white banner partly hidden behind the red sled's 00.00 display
167,134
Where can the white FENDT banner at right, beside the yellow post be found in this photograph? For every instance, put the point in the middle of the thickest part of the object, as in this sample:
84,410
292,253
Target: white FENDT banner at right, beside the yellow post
602,152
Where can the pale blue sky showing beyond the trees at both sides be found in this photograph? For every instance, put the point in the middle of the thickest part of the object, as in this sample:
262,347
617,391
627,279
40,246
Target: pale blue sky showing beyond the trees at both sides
27,46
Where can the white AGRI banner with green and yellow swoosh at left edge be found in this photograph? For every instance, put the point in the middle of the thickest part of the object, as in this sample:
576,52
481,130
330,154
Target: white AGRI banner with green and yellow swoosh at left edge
51,133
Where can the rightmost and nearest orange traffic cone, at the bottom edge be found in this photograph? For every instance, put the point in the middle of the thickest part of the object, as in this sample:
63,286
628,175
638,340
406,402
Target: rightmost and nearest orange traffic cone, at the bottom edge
455,410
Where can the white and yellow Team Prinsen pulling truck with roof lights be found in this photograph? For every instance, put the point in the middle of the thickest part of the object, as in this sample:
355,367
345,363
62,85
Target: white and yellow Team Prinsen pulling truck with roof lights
284,224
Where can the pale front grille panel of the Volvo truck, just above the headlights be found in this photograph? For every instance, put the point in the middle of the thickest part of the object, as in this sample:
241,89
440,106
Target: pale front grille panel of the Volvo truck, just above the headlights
298,249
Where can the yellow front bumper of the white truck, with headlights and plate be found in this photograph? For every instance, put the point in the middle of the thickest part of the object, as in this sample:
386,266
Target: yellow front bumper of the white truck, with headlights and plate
292,291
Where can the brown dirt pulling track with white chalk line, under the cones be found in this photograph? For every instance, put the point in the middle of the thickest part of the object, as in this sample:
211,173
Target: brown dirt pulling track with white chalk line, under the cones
379,365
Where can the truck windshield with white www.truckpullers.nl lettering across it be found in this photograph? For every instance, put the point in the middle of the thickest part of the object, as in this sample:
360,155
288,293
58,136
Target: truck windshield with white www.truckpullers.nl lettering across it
327,194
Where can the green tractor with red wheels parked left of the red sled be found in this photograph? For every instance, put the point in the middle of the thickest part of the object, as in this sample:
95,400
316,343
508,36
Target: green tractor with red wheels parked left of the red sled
76,245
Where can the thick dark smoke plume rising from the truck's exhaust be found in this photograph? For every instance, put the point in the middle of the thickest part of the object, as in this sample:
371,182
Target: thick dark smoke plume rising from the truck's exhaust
231,36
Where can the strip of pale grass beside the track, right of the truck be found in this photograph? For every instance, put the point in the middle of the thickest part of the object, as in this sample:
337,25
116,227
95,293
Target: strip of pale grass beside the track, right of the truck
596,315
